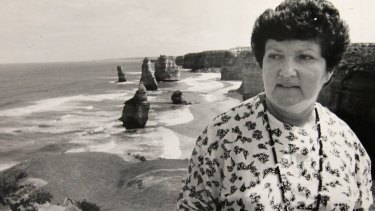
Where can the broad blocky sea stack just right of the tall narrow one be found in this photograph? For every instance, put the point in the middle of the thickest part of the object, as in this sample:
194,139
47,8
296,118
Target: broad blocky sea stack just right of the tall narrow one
166,69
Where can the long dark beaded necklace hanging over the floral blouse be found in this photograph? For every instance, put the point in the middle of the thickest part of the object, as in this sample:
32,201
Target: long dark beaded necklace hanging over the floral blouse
277,169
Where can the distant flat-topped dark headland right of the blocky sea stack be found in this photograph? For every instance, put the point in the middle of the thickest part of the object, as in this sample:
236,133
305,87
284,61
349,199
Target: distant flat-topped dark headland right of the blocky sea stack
208,59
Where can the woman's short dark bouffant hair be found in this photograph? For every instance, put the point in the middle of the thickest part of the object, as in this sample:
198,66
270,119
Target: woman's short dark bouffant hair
303,20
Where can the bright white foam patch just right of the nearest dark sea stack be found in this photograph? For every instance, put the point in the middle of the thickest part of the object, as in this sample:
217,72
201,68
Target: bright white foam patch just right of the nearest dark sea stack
175,116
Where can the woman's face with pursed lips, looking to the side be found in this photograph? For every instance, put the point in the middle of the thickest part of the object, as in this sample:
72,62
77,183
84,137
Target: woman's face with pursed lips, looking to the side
293,72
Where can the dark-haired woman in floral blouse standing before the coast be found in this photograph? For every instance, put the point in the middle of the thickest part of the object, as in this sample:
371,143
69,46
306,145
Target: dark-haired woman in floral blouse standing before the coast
281,150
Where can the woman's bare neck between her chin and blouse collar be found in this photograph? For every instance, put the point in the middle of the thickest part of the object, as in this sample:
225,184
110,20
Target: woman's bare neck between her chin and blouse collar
294,117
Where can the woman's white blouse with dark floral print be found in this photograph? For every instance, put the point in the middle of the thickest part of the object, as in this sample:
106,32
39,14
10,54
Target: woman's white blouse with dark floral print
232,166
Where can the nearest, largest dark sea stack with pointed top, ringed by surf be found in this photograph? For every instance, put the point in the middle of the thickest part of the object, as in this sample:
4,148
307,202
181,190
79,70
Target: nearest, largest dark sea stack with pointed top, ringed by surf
135,111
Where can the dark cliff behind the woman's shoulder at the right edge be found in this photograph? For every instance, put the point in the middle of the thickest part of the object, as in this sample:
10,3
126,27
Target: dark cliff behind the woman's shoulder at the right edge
350,94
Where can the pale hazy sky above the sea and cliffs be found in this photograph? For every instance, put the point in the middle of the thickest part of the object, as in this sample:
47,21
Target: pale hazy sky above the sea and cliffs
81,30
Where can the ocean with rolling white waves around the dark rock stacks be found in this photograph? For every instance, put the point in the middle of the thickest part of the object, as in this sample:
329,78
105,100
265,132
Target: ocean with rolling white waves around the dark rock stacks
74,107
